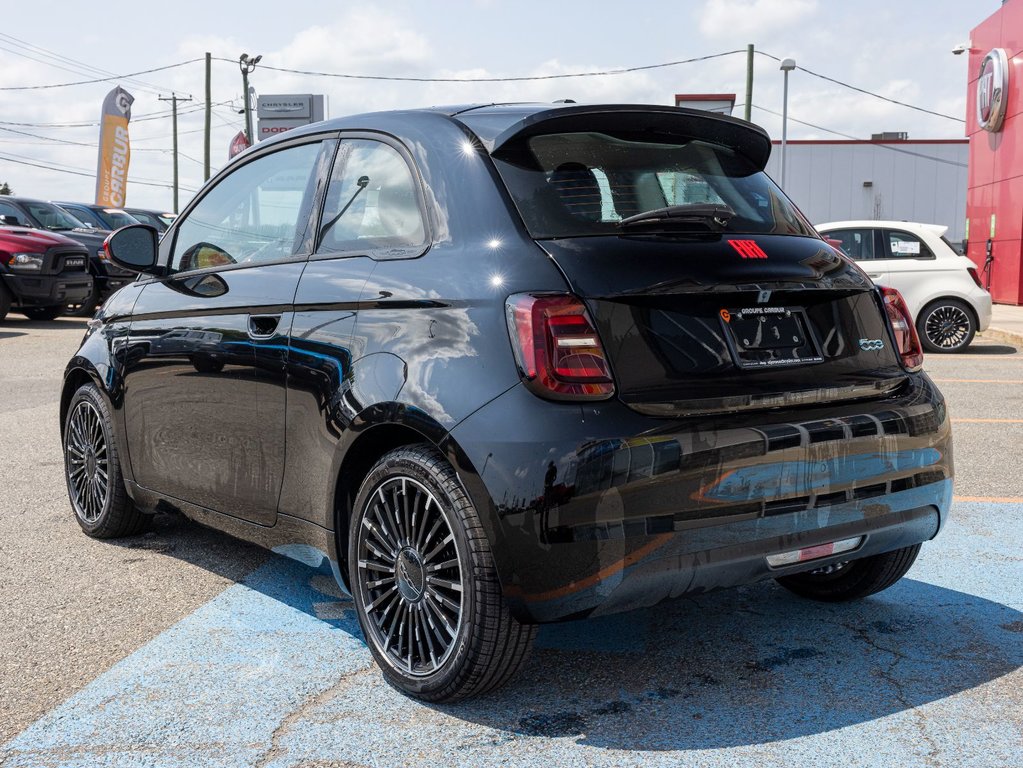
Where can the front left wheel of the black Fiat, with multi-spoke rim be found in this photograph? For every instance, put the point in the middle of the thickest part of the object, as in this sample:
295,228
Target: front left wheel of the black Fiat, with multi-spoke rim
93,470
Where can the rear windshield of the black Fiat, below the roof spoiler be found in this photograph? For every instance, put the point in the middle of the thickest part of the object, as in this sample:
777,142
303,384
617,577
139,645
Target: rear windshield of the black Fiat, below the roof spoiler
572,185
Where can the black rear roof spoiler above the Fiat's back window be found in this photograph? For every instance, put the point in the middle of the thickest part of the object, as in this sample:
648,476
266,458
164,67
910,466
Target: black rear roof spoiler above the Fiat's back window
648,122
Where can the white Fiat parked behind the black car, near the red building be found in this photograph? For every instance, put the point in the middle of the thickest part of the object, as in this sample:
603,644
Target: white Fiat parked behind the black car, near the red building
941,287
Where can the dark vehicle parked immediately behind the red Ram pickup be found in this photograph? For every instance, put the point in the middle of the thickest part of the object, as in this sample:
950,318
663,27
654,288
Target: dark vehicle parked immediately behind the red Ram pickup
107,278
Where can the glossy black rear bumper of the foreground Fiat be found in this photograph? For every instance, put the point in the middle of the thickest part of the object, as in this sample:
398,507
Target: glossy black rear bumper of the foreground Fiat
596,510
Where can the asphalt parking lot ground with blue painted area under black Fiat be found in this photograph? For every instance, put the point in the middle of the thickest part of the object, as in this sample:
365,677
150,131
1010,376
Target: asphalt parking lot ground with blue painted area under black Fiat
185,648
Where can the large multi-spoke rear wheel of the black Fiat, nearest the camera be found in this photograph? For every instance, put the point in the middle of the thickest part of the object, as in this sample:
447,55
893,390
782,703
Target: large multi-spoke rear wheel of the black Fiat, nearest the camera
425,585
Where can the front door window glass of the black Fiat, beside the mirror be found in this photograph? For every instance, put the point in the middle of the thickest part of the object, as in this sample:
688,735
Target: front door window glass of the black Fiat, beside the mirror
259,213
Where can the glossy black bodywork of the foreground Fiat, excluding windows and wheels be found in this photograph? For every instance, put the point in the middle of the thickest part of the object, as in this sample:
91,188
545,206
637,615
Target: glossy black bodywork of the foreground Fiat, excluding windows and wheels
255,397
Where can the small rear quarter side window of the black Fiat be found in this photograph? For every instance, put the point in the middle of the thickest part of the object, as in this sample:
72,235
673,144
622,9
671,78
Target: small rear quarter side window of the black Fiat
372,201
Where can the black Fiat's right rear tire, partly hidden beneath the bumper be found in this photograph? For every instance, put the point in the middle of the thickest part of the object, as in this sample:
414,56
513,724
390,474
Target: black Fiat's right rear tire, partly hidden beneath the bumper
853,580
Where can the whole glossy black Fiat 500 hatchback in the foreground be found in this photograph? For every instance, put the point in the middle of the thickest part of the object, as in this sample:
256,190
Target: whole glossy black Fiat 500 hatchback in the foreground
511,365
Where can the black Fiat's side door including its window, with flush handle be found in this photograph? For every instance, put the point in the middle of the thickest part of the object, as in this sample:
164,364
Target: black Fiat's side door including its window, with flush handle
205,394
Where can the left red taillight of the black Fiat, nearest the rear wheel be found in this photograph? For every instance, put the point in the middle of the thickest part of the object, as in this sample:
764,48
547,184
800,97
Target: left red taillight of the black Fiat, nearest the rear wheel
557,348
